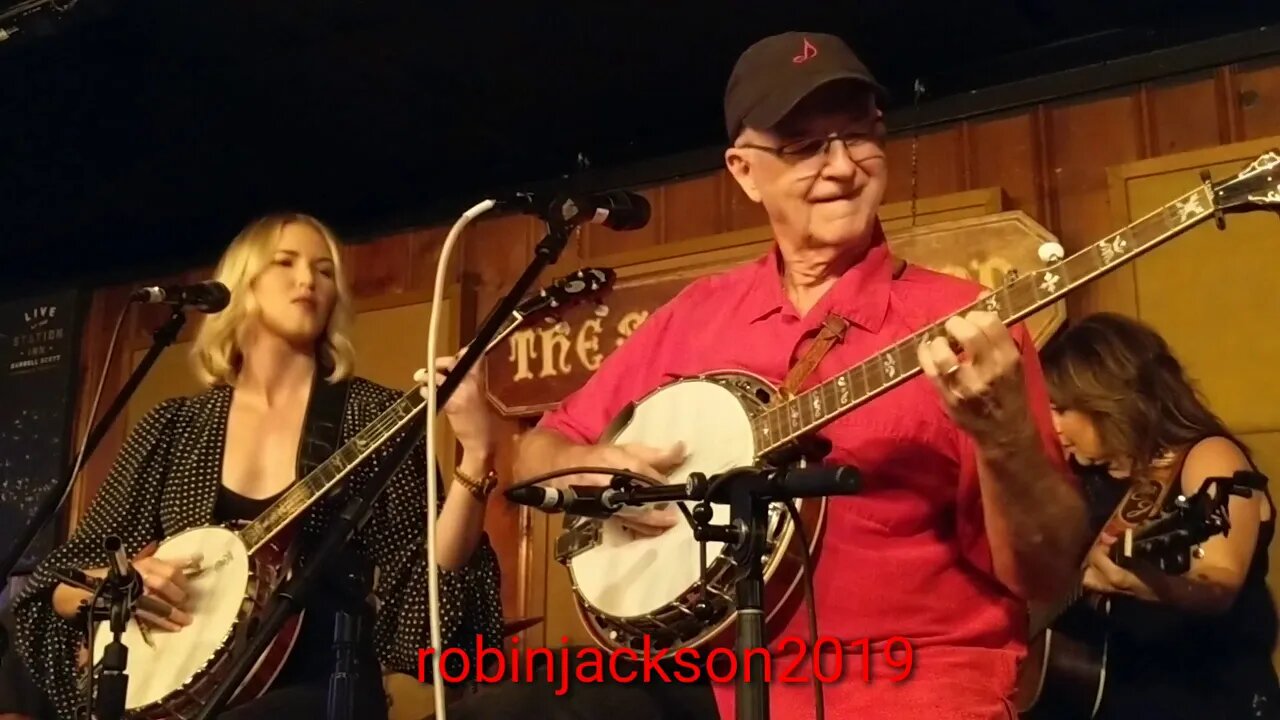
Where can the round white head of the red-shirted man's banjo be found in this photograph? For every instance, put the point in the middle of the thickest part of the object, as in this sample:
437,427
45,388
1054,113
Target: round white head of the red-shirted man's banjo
625,576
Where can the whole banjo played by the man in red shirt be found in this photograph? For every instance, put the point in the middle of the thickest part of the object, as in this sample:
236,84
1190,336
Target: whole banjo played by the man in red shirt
637,593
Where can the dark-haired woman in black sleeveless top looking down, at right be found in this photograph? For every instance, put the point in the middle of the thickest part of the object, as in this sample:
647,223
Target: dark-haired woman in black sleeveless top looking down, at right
1197,645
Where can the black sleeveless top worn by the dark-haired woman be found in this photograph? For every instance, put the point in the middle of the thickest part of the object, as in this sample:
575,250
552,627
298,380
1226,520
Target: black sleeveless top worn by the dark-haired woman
1172,664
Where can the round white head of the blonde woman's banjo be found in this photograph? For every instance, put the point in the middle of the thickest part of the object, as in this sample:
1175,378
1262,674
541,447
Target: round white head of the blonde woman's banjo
216,603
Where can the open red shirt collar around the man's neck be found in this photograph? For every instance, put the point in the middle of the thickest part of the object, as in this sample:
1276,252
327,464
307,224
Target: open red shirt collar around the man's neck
861,295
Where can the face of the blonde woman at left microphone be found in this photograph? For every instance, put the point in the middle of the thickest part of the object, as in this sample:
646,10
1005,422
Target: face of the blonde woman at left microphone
298,290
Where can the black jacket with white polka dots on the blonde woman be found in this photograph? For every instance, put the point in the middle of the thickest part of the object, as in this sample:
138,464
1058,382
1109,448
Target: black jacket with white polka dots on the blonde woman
166,480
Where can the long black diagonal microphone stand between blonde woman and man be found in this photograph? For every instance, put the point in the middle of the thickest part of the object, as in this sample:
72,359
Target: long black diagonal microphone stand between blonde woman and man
291,598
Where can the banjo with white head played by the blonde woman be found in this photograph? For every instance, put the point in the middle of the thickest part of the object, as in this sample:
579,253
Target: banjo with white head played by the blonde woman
173,673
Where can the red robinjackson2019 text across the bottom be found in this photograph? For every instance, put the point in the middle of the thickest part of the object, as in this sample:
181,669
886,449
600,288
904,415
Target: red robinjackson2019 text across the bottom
796,662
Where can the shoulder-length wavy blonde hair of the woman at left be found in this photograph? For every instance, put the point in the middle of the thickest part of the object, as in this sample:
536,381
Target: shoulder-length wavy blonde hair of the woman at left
217,352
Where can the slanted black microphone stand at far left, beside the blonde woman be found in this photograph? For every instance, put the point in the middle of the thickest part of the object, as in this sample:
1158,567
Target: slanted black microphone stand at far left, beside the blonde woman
162,339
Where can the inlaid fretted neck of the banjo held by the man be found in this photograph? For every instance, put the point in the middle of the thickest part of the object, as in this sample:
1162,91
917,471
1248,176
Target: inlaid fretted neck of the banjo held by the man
793,418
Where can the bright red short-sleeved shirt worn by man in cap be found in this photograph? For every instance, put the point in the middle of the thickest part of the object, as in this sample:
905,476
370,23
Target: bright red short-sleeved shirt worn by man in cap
907,557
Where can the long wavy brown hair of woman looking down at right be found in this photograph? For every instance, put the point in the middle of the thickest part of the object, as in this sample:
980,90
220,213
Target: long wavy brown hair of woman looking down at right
1121,373
